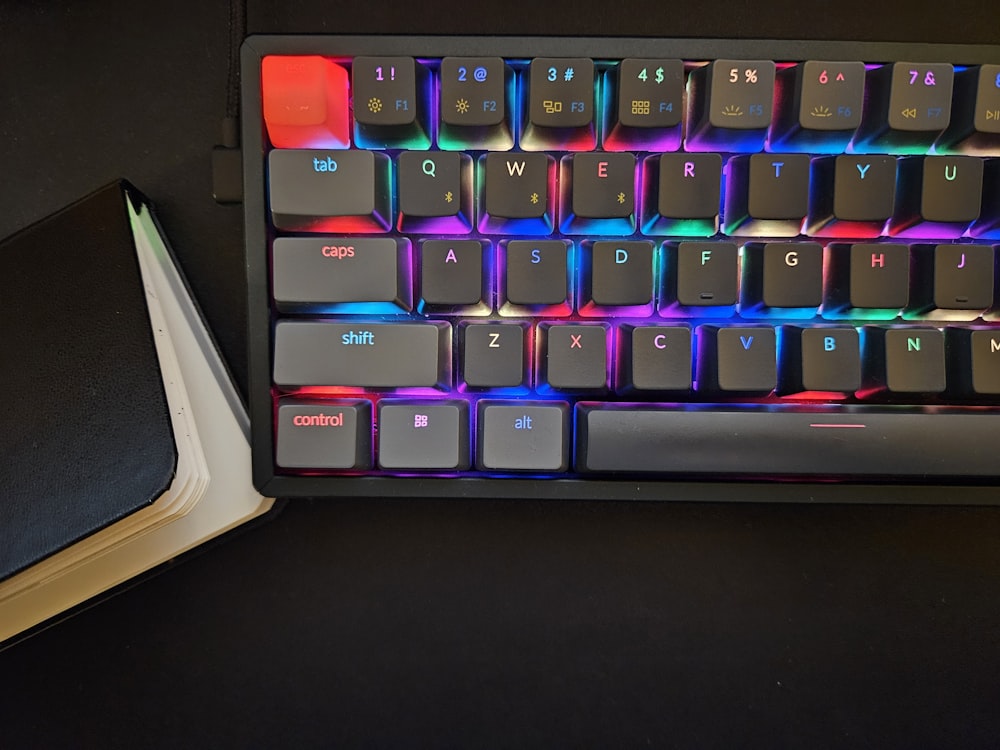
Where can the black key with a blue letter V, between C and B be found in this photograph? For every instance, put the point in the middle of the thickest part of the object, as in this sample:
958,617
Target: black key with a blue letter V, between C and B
737,360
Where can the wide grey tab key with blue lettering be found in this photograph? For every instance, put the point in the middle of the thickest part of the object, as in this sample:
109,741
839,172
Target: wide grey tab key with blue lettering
339,191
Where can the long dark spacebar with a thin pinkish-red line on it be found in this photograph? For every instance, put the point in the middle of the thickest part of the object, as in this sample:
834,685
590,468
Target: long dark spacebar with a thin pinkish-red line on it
776,443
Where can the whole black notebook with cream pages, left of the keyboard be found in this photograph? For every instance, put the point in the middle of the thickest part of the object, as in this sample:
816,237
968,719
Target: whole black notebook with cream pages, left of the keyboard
124,440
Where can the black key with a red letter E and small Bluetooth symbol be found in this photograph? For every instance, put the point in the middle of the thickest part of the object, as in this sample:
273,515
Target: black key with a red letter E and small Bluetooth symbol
602,193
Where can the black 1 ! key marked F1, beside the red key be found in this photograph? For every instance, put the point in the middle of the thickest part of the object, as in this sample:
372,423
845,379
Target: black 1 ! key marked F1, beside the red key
389,102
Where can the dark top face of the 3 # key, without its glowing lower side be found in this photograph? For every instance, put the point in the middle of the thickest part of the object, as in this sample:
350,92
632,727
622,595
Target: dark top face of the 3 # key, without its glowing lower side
561,92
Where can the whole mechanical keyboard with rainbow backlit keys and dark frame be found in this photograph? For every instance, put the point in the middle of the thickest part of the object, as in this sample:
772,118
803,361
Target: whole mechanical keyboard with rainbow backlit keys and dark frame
614,268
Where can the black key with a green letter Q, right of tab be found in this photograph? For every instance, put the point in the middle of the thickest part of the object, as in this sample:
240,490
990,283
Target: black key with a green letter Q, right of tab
435,192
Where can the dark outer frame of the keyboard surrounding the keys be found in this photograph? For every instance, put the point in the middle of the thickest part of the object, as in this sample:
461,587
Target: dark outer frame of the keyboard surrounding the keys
254,143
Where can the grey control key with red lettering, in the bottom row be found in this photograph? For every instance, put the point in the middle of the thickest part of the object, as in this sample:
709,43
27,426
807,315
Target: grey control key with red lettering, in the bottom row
317,434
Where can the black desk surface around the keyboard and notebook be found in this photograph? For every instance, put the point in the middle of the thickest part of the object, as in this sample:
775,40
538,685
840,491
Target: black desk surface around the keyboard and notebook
467,624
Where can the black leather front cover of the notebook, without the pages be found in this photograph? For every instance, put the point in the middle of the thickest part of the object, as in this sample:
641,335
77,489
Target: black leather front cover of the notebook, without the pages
86,437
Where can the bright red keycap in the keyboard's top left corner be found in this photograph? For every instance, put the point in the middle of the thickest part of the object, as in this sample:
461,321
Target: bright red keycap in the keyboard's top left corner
305,101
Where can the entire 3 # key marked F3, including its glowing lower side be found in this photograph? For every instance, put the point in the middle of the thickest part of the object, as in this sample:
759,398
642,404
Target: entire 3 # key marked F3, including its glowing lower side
560,105
